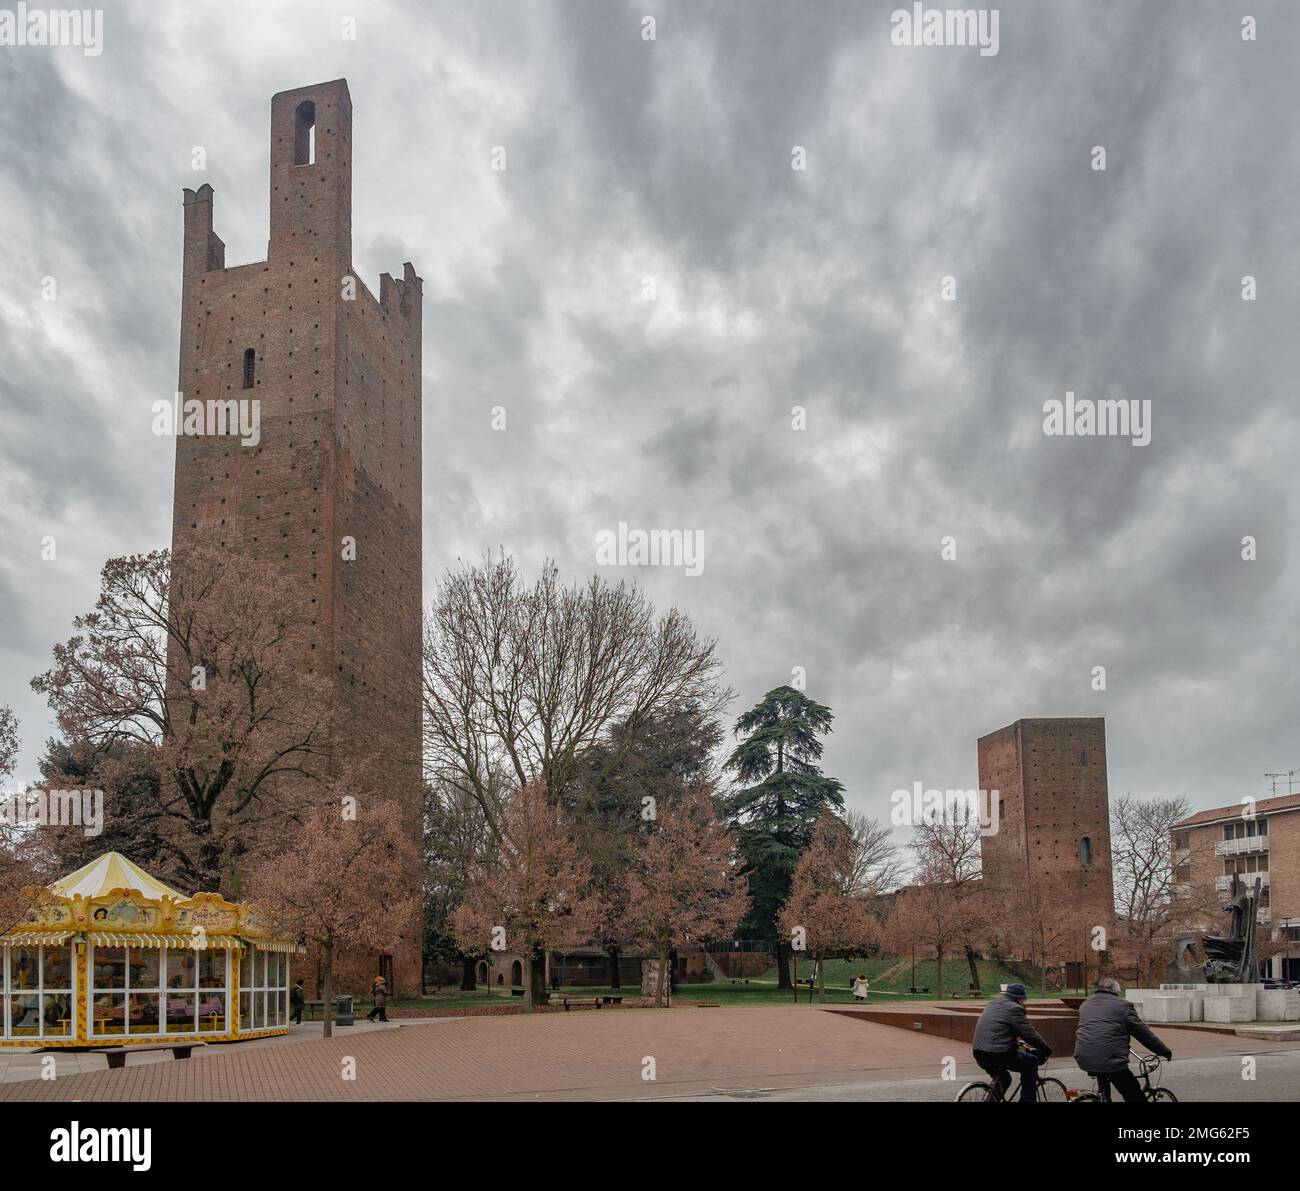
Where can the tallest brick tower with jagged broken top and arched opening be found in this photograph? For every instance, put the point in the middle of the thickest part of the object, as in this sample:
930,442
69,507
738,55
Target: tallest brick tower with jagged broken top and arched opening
337,379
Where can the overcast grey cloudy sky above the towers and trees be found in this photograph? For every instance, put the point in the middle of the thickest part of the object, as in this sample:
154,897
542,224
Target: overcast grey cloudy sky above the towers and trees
774,288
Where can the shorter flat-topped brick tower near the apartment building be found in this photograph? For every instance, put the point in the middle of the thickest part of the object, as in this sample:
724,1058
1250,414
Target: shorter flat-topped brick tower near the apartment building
1055,812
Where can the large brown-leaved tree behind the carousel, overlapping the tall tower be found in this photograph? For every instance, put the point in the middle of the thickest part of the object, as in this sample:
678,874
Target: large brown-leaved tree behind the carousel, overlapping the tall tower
201,664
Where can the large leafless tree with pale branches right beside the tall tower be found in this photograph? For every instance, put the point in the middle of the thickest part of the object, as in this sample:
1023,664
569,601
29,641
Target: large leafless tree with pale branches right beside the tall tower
522,679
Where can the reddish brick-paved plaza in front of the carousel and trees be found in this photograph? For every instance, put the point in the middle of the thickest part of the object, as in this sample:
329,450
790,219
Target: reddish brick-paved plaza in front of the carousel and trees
552,1058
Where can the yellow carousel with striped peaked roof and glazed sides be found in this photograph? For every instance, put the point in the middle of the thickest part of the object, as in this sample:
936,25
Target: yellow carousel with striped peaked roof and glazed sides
112,956
